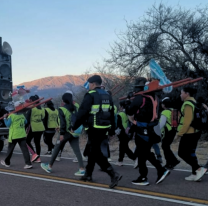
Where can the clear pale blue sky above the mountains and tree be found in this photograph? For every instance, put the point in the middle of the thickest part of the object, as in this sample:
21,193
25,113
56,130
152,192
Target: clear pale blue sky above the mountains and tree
66,37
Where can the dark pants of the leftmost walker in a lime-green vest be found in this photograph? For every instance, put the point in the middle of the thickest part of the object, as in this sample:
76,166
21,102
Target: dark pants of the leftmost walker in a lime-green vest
23,147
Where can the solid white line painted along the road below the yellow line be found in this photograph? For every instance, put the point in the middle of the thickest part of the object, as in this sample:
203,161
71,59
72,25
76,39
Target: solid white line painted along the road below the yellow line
105,189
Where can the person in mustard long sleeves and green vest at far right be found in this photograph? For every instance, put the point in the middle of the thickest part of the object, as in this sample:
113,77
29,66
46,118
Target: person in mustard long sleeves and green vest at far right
188,135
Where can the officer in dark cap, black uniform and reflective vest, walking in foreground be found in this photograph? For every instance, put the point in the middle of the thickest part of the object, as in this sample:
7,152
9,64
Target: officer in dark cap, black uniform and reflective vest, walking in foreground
97,109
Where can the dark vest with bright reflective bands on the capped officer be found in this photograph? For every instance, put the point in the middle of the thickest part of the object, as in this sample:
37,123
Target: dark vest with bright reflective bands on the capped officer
95,115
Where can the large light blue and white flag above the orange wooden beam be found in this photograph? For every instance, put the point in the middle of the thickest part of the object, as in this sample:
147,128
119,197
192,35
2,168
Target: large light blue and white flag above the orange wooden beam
157,73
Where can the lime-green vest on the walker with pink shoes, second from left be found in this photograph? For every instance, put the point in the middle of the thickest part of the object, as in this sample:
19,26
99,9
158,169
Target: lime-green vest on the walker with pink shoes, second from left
37,115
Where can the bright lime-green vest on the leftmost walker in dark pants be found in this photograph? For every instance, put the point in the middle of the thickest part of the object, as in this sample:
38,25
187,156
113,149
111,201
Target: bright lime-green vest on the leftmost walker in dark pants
17,128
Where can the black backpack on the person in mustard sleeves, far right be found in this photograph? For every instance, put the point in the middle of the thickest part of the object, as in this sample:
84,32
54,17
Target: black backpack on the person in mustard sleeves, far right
200,121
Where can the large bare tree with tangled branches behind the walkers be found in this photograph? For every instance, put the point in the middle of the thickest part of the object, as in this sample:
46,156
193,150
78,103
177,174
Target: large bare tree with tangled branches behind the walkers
176,38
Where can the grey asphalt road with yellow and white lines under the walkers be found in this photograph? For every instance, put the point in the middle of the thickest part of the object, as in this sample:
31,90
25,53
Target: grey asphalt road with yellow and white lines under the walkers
36,187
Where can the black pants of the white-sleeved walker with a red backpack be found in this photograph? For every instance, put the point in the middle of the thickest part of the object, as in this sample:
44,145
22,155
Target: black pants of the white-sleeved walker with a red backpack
166,142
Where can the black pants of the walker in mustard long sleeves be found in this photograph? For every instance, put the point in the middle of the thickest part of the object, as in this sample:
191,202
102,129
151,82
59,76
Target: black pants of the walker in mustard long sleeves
187,149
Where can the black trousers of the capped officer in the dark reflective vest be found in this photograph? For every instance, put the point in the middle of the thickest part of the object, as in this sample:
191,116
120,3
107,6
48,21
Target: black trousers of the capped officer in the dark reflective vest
94,153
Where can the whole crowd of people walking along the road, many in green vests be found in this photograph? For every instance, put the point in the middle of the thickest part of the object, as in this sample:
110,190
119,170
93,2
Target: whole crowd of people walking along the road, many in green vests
137,118
